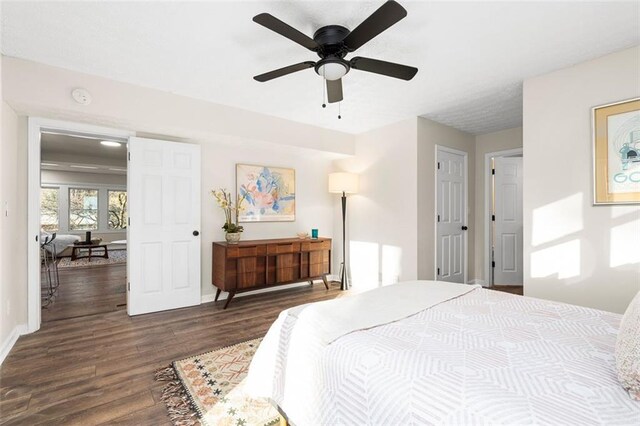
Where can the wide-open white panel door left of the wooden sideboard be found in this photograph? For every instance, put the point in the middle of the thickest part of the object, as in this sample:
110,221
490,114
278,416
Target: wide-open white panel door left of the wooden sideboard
163,235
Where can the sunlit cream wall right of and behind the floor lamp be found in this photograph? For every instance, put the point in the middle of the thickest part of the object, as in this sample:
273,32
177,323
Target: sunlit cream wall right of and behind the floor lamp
382,217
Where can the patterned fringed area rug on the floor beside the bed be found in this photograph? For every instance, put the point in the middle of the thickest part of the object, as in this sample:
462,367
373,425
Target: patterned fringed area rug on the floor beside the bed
208,389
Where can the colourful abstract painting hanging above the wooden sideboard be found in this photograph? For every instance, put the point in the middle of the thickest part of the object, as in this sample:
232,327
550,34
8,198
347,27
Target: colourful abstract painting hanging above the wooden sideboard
269,193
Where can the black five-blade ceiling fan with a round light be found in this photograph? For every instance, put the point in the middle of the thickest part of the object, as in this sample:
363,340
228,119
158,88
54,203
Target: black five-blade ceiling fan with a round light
333,42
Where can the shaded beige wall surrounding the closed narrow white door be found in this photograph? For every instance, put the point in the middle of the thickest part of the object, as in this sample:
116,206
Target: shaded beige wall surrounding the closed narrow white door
429,135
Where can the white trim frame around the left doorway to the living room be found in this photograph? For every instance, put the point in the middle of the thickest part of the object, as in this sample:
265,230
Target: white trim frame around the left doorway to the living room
35,125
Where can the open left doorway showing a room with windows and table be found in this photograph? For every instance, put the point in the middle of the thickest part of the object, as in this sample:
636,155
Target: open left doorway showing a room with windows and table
83,224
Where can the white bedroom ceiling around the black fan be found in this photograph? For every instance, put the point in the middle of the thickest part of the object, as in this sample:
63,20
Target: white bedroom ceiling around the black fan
472,56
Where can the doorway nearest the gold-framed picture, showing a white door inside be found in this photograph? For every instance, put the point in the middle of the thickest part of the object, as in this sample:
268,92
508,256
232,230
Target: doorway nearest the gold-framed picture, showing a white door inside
503,238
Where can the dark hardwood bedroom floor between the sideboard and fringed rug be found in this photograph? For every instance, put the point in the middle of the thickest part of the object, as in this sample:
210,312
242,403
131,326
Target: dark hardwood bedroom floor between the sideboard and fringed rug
99,369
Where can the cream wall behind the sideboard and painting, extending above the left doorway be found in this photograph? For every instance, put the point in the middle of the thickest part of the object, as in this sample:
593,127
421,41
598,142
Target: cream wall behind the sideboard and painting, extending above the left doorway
227,136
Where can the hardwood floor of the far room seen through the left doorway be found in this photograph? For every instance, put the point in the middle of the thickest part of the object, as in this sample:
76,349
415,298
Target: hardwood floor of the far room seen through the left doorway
87,291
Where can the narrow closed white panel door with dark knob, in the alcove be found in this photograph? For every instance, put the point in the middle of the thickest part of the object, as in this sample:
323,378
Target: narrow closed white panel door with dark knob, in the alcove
451,216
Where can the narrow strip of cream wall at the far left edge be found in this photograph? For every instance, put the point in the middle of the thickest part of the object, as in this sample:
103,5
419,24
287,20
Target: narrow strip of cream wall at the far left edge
13,243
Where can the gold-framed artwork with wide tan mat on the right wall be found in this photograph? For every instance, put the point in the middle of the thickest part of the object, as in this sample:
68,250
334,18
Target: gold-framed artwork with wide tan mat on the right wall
616,153
